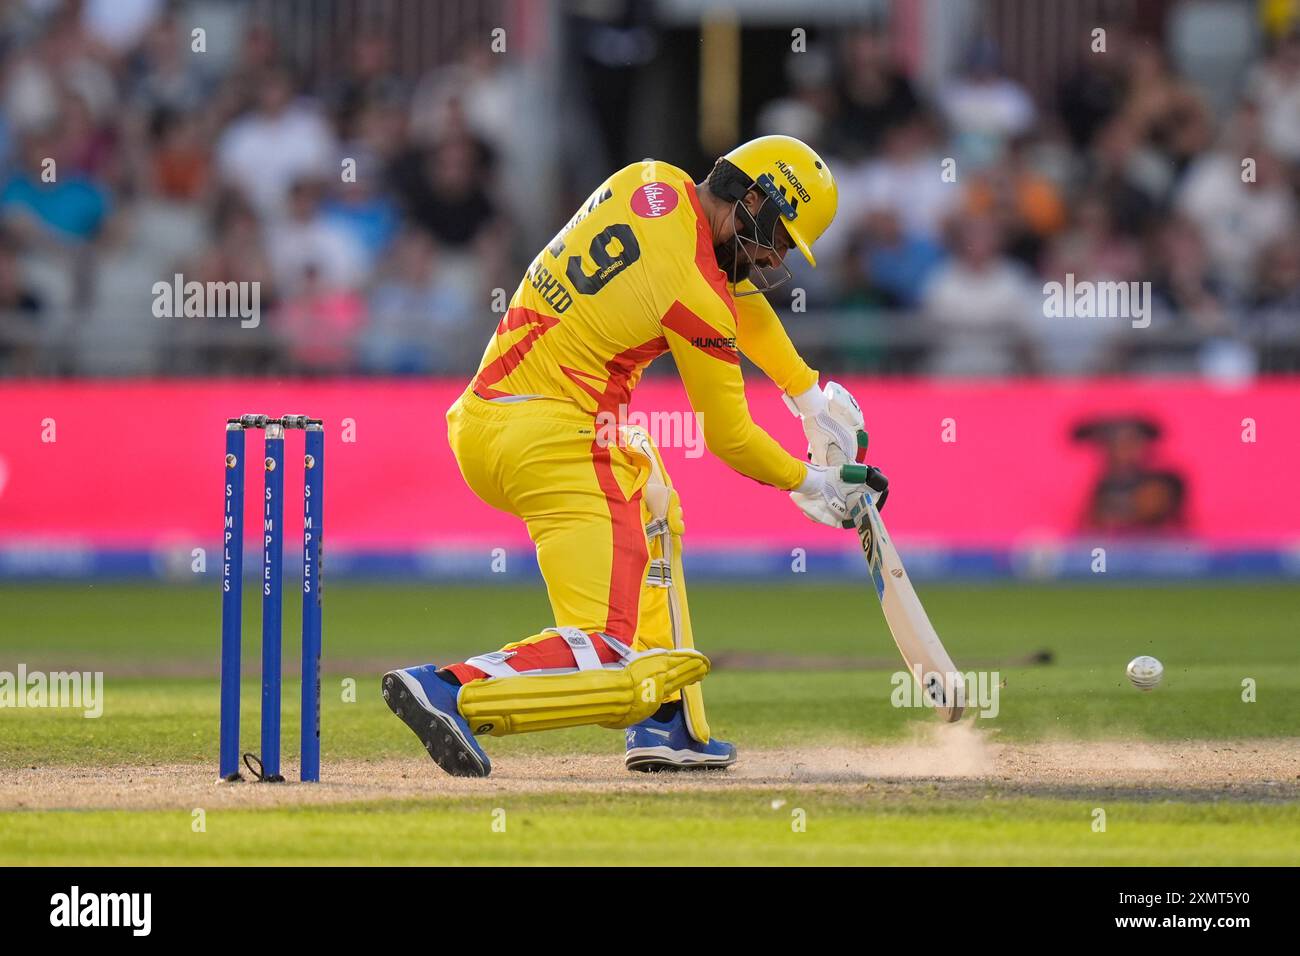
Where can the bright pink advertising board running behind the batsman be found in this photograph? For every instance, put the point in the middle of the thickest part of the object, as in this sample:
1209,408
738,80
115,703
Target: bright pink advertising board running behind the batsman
140,465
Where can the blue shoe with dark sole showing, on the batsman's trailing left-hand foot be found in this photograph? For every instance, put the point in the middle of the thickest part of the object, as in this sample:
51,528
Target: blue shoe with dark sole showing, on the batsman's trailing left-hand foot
427,704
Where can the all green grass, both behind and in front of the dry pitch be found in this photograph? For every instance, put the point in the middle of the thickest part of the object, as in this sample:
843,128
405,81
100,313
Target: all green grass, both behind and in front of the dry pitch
158,648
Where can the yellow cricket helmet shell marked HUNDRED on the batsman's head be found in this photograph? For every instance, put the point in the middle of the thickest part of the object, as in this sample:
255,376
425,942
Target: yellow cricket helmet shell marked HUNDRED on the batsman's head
796,180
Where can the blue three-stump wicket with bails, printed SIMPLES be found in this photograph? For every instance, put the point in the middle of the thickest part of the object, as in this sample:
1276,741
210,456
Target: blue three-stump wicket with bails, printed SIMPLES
272,581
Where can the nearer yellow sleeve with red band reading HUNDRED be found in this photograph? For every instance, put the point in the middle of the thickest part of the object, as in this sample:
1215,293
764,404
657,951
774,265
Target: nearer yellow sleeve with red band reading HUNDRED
701,332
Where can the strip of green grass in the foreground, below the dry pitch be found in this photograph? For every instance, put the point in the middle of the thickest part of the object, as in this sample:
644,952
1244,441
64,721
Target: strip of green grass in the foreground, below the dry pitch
738,828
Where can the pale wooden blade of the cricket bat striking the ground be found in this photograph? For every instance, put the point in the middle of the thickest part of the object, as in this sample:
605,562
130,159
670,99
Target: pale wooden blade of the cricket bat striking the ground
918,643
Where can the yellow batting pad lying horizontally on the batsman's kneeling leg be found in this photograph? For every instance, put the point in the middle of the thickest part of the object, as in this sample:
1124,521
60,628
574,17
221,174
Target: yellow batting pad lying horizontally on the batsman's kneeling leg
609,697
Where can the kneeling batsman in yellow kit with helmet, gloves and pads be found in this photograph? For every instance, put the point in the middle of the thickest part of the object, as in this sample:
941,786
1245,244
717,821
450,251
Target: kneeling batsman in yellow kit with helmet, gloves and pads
652,263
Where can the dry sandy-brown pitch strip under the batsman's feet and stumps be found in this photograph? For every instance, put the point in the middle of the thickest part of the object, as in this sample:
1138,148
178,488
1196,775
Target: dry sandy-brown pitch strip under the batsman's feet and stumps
956,762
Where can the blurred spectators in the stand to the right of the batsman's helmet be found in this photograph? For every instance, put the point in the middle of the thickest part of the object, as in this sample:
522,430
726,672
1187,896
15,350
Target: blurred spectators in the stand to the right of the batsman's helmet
1130,178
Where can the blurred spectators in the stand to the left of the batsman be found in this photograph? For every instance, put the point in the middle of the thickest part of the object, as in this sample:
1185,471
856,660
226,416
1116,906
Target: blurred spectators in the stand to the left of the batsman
363,205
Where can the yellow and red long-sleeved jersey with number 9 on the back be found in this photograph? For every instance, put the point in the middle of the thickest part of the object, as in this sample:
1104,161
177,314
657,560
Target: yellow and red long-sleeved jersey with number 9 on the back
632,276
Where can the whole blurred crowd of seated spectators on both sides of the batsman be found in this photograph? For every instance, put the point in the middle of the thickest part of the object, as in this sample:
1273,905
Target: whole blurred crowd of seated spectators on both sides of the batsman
372,211
